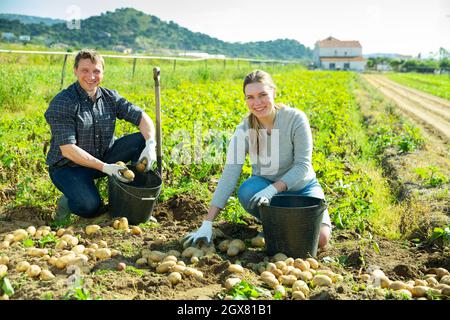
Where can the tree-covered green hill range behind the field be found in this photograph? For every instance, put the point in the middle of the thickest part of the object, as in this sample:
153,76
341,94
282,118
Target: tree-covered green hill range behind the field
142,32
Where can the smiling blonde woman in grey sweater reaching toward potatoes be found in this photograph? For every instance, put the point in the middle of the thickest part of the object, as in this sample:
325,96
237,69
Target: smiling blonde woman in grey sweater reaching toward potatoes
279,141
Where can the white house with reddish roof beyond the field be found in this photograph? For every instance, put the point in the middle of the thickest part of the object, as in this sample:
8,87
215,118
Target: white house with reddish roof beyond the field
334,54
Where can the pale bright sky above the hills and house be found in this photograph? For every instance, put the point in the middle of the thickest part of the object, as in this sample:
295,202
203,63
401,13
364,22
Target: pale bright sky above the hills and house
382,26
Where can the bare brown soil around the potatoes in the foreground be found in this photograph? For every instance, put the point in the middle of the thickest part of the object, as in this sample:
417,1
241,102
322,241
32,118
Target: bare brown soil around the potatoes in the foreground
347,254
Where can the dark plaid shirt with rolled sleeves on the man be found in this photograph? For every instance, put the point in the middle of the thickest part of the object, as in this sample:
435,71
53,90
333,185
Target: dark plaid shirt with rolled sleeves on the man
76,119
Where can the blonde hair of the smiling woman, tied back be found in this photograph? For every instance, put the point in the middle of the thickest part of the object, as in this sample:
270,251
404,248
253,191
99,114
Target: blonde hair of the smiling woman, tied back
258,76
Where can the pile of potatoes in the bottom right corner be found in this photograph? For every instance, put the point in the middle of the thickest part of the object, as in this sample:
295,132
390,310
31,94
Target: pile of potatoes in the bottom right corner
436,282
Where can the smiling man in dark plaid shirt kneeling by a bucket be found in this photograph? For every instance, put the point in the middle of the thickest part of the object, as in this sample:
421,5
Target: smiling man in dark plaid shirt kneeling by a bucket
82,120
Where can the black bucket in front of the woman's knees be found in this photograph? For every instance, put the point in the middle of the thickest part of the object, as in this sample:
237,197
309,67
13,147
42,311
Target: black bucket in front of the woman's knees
292,225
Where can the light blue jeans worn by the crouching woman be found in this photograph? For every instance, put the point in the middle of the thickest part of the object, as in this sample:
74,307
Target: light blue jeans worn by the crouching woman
255,184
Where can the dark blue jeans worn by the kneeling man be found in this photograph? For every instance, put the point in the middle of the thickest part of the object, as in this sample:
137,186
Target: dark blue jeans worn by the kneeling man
77,183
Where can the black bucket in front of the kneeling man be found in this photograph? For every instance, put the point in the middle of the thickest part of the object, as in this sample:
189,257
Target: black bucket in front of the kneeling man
134,200
